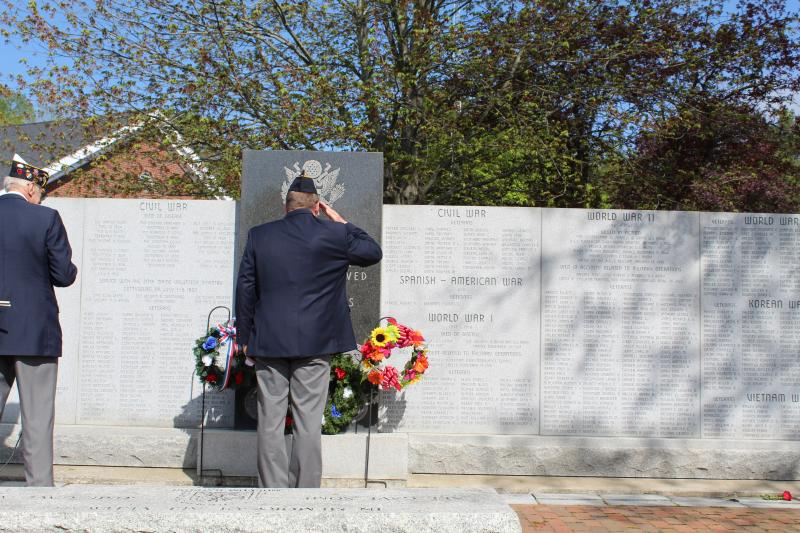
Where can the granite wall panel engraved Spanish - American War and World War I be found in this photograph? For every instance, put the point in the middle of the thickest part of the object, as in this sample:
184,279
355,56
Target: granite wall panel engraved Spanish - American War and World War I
469,279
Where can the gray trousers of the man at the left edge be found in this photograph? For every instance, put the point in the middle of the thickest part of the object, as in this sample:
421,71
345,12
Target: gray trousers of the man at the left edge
36,383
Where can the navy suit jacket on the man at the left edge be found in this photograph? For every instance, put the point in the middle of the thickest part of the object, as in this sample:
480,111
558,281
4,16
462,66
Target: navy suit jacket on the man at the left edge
35,256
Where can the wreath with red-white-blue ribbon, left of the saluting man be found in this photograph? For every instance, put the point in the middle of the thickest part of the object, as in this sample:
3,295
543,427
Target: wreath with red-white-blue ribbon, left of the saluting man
218,362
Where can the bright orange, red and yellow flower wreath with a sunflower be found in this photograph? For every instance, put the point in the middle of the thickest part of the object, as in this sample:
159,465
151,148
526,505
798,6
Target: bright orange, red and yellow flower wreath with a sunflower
380,345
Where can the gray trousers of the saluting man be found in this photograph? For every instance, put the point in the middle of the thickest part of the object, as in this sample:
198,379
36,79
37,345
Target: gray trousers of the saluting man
304,382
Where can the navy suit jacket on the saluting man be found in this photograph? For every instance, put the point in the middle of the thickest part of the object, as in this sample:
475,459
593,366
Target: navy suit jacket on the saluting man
291,298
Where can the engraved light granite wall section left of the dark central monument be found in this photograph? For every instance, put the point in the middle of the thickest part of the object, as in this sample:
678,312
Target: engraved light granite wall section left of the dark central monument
149,273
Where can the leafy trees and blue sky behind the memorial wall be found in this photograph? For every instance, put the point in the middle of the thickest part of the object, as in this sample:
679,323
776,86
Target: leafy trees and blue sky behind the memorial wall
667,104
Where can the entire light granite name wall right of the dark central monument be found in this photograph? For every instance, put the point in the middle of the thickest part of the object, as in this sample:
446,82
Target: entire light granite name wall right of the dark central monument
573,322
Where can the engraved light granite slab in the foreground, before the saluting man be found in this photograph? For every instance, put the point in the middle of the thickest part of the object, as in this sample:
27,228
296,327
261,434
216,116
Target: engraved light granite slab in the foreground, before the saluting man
91,508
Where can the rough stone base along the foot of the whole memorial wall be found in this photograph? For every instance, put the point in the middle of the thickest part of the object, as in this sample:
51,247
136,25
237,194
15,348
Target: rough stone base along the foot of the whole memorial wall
395,456
